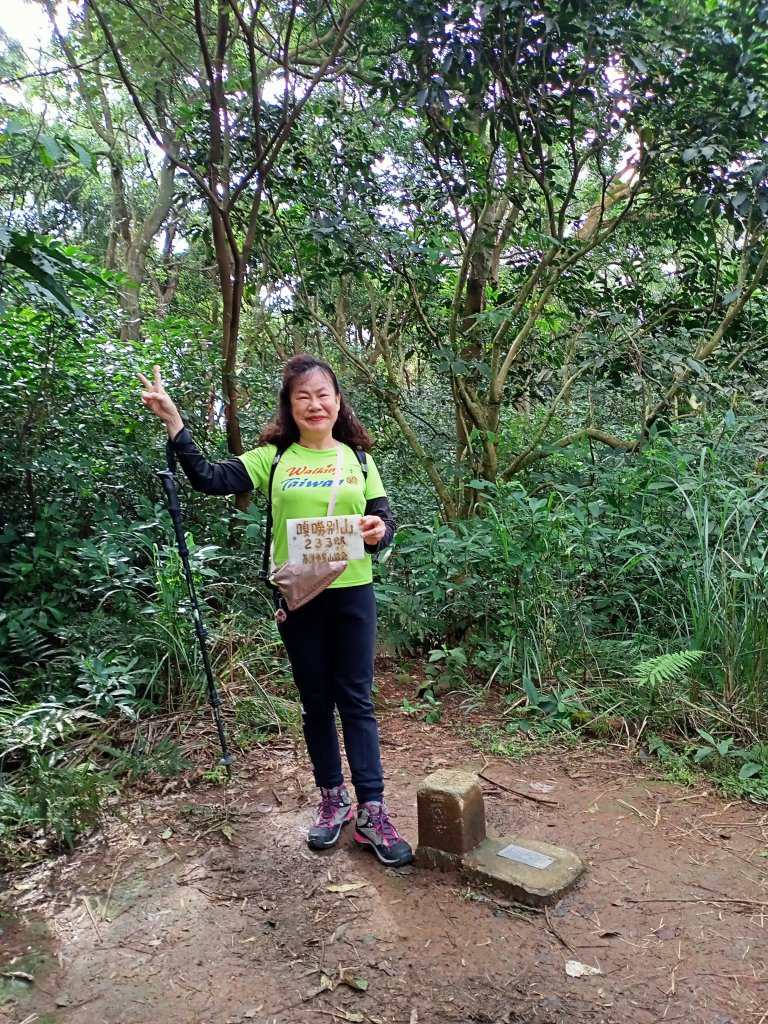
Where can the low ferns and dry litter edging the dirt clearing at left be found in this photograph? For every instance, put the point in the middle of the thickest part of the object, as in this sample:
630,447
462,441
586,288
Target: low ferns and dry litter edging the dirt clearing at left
64,765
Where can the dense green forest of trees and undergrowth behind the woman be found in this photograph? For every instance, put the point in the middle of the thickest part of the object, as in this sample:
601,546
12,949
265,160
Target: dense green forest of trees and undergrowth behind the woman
532,238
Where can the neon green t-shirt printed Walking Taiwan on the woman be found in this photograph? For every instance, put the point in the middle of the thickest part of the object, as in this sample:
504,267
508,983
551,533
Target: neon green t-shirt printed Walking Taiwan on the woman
303,488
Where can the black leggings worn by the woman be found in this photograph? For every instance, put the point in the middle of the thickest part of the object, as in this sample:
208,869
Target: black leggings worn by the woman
330,643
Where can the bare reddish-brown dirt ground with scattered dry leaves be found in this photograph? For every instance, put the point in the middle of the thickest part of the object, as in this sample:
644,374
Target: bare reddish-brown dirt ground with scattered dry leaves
203,906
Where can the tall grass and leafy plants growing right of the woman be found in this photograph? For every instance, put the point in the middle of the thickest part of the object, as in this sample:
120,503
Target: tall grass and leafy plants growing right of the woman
662,554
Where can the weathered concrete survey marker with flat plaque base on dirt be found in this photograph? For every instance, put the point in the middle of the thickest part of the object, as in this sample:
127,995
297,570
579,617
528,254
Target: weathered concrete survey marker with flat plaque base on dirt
452,835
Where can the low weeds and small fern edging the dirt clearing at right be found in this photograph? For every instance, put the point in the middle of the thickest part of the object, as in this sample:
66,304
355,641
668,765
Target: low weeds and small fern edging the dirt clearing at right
651,715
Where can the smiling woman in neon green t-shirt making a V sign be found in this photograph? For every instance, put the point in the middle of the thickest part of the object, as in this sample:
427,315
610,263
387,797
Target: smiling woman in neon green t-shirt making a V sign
330,641
